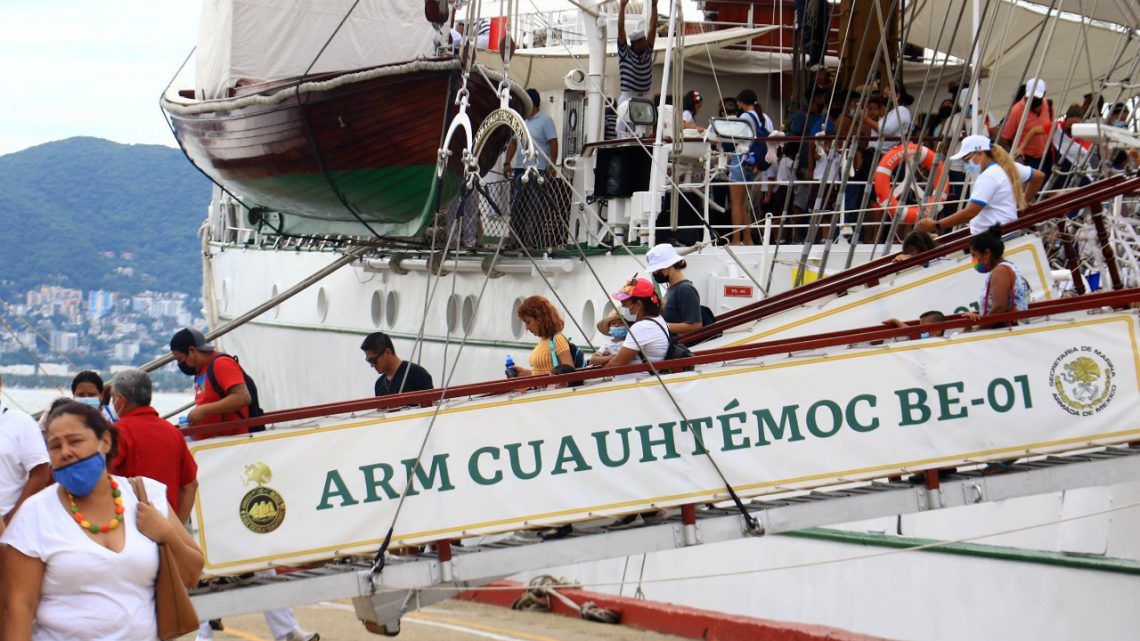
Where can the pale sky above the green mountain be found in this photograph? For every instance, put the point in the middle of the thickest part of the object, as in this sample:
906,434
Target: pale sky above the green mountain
89,68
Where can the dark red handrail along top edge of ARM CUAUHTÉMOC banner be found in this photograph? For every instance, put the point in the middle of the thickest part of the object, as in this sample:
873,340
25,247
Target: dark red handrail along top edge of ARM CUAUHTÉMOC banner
1113,299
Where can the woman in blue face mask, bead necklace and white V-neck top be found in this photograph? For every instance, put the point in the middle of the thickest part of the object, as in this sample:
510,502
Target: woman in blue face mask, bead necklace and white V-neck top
83,555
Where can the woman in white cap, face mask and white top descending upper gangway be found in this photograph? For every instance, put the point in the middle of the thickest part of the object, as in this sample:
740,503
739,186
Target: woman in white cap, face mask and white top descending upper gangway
1001,188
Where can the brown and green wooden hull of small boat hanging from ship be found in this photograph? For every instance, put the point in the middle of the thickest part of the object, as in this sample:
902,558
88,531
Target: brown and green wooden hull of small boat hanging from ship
351,147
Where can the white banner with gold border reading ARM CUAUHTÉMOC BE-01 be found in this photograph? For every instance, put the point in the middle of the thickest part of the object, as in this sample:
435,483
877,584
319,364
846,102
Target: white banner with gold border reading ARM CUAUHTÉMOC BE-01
509,463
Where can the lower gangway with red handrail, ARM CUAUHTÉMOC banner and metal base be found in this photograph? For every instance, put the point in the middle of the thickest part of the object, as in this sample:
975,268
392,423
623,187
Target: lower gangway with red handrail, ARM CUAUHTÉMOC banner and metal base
781,485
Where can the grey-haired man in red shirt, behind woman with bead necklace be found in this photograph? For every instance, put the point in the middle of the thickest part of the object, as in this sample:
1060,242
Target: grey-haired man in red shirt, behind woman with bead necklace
150,447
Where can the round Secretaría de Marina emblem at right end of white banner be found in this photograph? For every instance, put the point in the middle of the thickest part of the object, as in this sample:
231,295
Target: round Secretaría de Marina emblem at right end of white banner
1084,382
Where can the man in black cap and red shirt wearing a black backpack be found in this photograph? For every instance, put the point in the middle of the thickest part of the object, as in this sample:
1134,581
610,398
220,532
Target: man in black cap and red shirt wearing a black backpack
196,358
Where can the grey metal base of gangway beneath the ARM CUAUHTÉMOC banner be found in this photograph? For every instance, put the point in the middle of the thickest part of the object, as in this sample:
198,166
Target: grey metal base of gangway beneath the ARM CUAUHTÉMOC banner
410,582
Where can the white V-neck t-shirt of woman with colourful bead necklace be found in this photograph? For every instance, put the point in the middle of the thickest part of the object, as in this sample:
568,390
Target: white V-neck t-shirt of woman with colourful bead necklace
88,591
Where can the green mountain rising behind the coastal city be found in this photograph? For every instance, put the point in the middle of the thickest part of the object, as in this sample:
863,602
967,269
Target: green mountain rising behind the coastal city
91,214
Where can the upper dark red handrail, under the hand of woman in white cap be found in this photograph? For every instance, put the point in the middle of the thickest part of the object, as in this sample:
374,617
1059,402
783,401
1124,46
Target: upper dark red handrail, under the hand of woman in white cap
886,266
